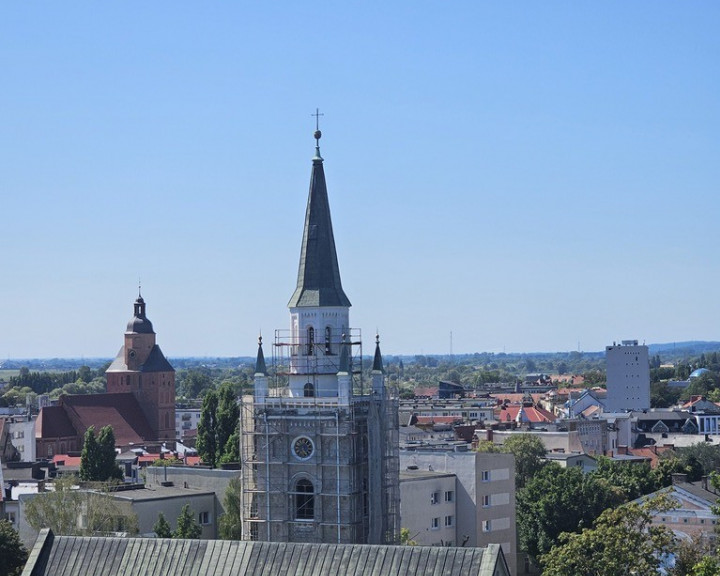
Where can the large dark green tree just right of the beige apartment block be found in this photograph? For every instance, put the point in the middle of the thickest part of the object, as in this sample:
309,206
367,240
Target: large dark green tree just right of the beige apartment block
558,500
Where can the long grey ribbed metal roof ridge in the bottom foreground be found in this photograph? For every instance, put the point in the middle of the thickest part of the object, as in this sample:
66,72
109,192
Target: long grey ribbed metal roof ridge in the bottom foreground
76,556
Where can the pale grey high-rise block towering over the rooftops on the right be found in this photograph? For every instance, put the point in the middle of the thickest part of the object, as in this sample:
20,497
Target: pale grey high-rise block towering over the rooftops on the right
628,377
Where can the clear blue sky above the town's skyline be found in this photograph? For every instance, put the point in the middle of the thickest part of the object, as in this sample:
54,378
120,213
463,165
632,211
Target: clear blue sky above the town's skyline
530,176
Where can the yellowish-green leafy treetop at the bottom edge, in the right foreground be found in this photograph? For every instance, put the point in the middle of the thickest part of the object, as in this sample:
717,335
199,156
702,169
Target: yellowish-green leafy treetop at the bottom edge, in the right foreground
622,541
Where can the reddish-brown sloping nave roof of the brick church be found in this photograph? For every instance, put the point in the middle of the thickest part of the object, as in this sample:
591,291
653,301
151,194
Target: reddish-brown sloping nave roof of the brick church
121,411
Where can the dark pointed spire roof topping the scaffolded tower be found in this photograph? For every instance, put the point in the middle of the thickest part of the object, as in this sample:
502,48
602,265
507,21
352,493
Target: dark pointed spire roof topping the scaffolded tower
318,274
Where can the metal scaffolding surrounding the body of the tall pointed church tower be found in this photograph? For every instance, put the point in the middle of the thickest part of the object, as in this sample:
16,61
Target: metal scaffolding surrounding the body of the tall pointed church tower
353,466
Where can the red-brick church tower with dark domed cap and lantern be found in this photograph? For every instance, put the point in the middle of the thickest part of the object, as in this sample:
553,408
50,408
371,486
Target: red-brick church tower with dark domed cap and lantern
141,368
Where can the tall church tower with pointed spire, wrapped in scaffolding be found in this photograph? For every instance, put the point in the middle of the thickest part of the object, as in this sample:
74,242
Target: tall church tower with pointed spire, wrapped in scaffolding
319,445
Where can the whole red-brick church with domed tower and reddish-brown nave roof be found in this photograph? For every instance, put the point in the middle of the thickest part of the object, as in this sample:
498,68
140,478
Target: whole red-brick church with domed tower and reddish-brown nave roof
139,403
